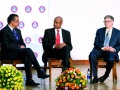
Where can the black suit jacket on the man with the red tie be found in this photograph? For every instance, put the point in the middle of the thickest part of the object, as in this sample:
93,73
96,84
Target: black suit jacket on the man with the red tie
49,39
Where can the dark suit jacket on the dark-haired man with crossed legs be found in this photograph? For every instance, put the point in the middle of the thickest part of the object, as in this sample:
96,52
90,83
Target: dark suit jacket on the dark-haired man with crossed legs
9,44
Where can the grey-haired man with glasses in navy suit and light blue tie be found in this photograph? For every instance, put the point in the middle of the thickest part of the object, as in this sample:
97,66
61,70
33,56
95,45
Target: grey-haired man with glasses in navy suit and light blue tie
106,45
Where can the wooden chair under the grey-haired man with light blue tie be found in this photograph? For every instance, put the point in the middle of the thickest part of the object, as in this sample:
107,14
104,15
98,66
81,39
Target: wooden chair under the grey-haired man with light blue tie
102,64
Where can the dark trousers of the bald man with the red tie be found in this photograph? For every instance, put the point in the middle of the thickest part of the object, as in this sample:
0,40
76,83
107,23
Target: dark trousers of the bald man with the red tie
63,53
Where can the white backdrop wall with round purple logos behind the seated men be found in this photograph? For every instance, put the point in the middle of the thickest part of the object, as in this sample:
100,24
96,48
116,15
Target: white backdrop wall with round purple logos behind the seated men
81,17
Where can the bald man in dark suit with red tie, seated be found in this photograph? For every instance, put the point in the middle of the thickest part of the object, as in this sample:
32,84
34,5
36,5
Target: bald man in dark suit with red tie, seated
57,43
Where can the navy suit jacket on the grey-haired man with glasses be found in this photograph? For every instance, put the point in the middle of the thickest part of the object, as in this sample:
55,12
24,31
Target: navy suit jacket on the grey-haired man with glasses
114,40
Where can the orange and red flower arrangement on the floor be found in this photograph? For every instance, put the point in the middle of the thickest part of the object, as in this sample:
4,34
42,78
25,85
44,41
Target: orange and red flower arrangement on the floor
71,79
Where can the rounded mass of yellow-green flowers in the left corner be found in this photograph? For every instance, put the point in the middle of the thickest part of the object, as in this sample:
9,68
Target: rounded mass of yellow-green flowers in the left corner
10,78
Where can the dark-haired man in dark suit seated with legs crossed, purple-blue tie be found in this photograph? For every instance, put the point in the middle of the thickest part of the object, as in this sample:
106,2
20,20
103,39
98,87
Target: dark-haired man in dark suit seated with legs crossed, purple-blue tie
13,47
